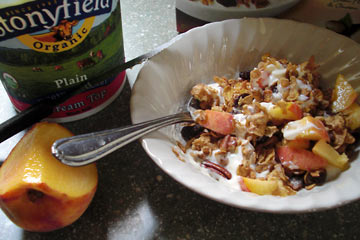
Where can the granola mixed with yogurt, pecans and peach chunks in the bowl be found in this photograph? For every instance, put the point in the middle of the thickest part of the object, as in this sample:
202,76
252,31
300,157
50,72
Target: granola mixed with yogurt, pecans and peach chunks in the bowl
274,125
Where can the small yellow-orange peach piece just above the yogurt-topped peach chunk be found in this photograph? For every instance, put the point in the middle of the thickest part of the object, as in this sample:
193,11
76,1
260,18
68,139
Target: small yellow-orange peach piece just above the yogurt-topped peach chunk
291,111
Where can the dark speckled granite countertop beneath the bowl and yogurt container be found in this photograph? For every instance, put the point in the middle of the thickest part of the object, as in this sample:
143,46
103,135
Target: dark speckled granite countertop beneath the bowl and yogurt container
136,200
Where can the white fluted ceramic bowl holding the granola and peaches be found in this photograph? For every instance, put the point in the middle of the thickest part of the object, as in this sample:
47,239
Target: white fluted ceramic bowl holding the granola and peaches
223,48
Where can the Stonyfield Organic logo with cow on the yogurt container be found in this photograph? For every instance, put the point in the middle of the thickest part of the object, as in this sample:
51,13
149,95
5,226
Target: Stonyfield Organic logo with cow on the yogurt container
55,19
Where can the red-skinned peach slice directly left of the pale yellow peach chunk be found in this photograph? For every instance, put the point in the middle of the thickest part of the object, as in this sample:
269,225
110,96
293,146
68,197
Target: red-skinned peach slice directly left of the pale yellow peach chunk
297,158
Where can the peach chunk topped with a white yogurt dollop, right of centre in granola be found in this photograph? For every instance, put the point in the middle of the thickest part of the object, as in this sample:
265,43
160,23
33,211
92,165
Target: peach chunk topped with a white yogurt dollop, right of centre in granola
306,128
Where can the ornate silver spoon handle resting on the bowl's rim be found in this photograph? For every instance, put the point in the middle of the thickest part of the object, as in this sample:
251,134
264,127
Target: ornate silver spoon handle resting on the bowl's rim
84,149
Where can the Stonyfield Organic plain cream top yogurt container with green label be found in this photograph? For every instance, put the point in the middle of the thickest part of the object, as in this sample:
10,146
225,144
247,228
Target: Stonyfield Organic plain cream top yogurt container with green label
49,47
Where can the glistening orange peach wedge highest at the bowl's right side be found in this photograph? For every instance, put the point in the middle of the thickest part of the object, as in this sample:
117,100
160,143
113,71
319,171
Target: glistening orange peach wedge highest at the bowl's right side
343,95
